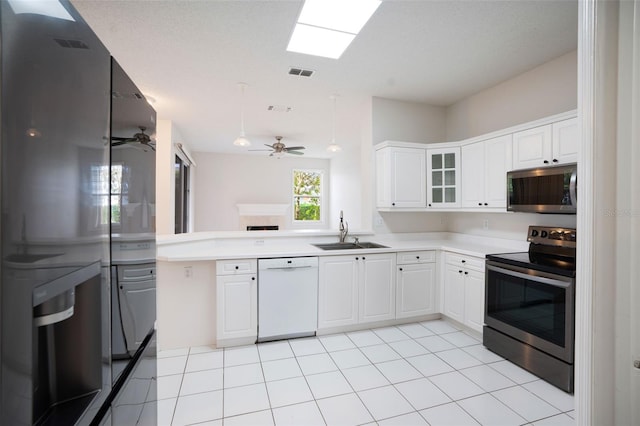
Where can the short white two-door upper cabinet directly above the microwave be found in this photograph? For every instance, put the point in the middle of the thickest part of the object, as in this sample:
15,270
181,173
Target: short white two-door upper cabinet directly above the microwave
541,146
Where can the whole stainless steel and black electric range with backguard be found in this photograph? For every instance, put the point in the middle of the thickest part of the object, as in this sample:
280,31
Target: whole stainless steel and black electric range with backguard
530,305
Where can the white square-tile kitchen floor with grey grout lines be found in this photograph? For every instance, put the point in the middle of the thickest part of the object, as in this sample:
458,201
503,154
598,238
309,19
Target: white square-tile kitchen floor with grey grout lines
427,373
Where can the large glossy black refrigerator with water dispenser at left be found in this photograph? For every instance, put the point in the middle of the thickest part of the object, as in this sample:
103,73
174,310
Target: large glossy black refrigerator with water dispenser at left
58,228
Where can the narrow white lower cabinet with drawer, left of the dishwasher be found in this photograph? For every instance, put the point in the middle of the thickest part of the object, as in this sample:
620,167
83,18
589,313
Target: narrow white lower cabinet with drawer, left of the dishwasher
236,300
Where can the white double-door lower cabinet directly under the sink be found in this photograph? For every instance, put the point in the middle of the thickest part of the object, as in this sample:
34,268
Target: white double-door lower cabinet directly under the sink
356,289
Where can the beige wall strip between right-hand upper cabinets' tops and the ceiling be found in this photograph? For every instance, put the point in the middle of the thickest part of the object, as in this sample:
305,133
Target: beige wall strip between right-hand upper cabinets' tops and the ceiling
548,89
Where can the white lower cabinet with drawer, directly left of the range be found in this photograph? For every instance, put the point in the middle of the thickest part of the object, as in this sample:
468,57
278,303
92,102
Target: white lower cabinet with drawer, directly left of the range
464,290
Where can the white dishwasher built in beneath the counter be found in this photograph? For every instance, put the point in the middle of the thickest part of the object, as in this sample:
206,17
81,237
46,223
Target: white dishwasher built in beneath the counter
287,298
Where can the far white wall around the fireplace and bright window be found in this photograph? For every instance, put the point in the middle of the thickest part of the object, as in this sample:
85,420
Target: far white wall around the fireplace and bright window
225,180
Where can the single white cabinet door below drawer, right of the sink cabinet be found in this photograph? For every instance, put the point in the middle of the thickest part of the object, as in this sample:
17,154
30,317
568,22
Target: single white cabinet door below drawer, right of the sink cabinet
415,290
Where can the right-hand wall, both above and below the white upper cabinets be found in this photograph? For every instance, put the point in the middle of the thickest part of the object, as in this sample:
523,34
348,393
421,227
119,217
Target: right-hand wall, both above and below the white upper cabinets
548,89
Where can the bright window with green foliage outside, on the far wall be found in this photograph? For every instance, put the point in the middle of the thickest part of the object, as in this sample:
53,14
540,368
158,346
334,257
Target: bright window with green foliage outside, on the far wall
307,195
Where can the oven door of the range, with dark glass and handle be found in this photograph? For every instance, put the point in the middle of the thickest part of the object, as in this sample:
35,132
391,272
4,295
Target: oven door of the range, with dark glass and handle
534,307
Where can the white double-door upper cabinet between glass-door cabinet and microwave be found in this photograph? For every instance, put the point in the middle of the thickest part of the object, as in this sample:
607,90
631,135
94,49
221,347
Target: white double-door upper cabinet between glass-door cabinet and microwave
484,172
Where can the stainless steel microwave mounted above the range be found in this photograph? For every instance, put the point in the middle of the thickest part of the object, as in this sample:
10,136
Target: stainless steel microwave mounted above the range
543,190
